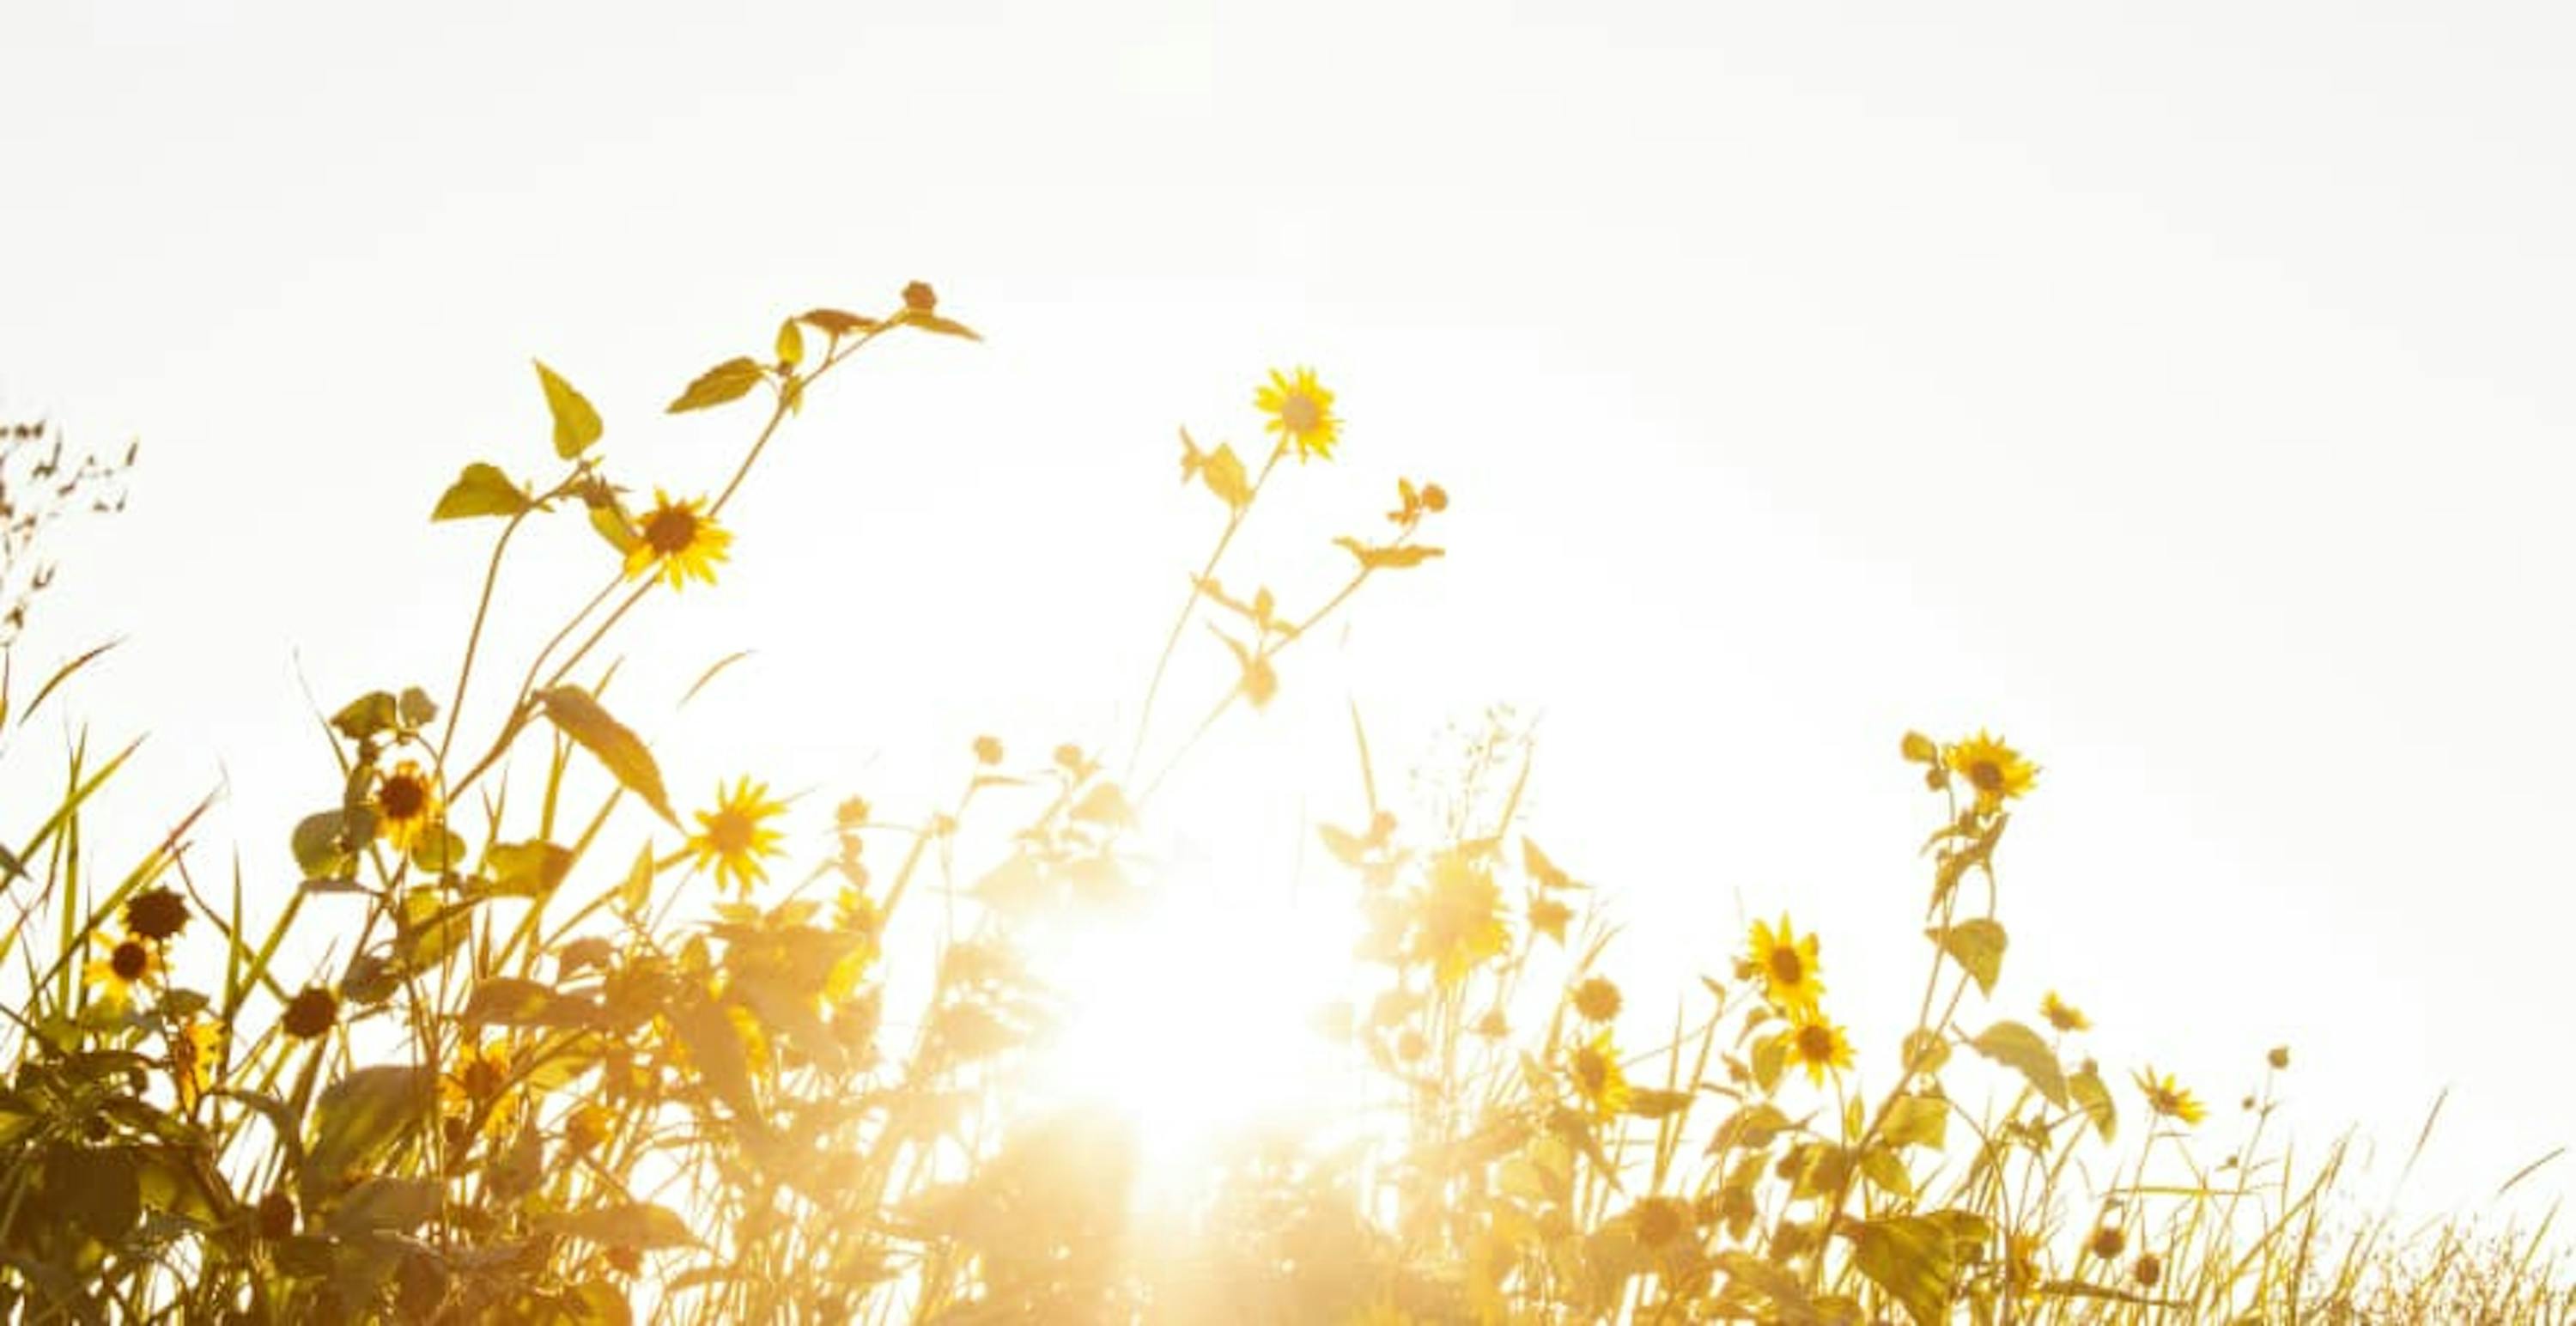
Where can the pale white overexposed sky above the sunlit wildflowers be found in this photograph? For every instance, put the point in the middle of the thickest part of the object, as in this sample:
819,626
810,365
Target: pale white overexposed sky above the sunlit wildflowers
2178,390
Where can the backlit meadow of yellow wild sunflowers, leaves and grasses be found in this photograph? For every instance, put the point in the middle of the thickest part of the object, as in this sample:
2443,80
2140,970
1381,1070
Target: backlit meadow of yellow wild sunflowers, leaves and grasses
537,1039
